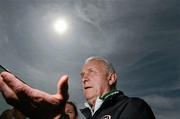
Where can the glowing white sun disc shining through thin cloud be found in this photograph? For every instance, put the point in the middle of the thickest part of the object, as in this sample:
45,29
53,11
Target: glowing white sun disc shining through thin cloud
60,26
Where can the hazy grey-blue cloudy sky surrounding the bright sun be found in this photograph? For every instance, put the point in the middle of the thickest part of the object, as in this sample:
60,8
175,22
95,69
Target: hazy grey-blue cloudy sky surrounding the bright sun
140,37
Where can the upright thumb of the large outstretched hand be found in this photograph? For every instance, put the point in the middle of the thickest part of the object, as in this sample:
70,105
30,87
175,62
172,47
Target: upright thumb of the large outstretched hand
62,87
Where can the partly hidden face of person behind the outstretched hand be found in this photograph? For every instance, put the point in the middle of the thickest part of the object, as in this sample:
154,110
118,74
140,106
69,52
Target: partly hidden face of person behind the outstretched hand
69,110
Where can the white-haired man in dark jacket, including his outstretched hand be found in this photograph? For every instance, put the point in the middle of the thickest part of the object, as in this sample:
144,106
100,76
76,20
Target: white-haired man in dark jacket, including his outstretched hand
99,88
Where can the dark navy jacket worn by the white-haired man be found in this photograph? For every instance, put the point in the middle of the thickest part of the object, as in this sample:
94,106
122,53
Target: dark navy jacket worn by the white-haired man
119,106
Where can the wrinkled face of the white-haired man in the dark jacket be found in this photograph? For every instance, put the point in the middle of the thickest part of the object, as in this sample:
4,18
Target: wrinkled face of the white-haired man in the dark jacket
94,78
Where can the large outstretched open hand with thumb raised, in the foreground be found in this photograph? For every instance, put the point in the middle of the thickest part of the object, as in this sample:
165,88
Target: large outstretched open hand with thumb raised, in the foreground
32,102
